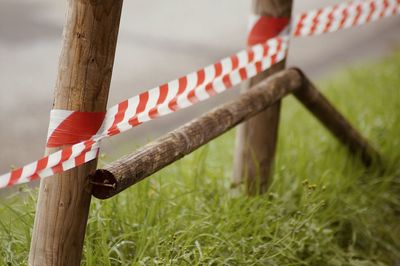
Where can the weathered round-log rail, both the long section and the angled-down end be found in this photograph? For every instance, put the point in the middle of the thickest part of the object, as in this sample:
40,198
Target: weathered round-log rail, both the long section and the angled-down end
147,160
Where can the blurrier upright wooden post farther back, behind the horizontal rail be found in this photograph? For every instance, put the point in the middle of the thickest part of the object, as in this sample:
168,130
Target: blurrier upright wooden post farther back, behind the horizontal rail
256,139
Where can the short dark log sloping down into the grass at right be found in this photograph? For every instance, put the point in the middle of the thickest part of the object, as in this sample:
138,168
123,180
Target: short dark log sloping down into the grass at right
323,110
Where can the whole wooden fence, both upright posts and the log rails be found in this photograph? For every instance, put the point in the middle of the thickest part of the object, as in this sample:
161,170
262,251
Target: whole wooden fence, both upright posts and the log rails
90,37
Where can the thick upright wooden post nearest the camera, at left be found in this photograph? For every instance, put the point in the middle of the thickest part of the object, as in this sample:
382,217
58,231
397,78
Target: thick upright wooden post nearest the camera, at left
84,75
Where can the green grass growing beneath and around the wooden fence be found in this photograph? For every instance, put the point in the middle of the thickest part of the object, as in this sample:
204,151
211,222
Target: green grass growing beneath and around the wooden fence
324,207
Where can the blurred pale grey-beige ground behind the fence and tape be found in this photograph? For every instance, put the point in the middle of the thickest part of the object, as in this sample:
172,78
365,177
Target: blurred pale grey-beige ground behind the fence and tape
158,41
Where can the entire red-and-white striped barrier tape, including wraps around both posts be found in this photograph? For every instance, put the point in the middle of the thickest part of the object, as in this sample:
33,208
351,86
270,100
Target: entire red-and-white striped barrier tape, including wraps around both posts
88,129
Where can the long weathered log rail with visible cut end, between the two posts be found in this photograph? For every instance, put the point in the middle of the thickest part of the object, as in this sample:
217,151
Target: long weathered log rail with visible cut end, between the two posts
132,168
